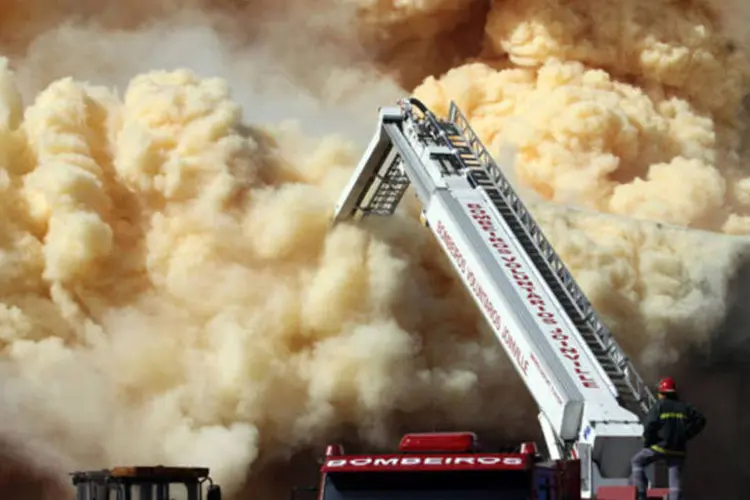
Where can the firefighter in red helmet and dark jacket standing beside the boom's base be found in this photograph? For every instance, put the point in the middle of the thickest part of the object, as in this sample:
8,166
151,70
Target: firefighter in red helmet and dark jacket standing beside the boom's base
669,425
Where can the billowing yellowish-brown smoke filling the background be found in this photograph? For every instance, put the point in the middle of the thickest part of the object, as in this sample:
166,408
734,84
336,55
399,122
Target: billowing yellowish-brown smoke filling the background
172,291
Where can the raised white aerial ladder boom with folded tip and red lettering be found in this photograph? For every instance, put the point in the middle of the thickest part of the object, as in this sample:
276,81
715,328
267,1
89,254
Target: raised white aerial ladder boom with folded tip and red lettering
590,397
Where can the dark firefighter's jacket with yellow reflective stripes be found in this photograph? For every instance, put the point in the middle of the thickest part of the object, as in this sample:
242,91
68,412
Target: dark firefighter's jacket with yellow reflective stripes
670,424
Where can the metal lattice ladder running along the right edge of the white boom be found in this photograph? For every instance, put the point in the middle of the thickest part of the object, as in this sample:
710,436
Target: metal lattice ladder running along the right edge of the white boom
602,335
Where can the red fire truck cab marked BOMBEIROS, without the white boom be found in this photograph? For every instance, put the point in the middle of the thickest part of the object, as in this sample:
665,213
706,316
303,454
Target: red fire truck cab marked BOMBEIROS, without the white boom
449,465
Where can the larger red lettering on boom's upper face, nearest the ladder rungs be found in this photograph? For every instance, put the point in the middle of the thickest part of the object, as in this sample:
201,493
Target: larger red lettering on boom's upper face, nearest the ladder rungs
523,280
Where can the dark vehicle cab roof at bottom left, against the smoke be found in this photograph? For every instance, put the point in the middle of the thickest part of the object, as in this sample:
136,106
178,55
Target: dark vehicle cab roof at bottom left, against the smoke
145,483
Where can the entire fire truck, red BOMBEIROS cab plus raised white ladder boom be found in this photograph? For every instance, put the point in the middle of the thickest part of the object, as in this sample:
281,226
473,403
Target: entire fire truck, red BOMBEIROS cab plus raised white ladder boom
591,399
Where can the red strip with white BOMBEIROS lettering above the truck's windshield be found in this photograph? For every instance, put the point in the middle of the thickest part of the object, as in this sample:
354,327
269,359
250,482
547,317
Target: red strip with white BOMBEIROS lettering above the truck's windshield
426,463
